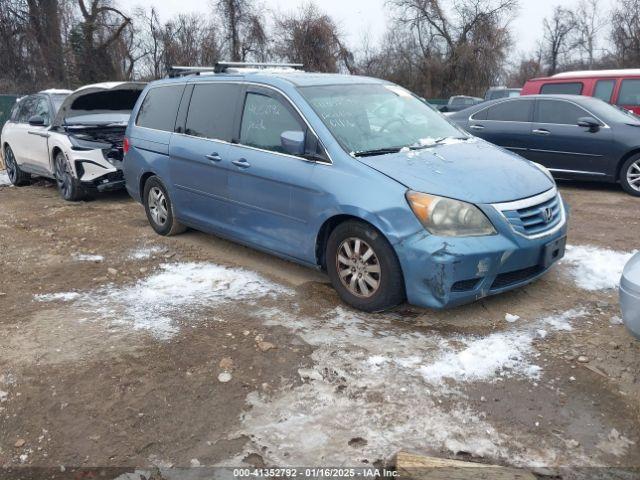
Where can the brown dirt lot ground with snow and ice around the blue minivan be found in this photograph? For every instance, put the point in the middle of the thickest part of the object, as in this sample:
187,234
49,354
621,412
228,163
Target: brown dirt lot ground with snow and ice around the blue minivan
121,348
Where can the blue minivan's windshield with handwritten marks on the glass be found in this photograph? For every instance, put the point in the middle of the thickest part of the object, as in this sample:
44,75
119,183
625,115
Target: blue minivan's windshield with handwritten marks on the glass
378,118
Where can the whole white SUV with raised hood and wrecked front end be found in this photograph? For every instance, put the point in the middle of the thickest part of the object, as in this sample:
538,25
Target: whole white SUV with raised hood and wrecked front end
73,137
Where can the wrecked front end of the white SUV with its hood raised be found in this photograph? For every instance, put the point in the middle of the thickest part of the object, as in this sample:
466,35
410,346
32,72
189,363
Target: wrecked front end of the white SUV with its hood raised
86,138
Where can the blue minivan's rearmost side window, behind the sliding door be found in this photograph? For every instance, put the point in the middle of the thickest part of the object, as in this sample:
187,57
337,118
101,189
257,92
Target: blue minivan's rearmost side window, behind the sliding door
160,107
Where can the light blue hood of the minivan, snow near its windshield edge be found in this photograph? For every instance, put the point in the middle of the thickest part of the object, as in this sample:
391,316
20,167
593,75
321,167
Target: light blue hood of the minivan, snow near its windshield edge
473,171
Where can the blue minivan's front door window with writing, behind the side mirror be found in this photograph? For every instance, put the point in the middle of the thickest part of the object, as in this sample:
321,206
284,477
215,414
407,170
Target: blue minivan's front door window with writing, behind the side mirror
263,121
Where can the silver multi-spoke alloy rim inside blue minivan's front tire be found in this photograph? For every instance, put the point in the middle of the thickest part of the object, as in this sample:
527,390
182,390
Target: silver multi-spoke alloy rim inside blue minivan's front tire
358,267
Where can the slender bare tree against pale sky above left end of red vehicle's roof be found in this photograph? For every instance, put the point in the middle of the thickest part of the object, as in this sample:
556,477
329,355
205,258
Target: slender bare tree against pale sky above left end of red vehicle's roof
557,37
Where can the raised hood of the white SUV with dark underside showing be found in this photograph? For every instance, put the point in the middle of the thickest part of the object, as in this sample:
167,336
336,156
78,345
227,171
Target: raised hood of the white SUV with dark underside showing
107,97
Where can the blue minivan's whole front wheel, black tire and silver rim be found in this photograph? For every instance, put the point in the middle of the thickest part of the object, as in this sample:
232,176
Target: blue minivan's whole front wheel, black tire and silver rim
364,268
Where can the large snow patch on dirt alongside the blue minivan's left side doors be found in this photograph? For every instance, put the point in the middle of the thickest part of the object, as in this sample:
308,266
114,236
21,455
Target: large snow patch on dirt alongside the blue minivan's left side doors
176,291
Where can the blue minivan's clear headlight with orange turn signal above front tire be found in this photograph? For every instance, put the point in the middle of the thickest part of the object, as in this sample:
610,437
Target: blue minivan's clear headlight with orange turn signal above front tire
447,217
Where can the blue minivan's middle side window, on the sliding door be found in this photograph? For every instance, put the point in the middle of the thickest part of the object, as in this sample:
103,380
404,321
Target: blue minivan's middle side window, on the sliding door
211,111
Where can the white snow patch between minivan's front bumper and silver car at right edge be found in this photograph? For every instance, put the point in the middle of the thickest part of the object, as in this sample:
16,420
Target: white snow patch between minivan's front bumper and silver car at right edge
595,268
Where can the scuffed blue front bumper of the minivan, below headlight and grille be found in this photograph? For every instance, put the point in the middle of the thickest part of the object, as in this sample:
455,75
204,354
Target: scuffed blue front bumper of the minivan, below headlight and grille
443,272
